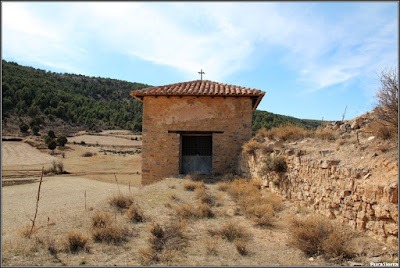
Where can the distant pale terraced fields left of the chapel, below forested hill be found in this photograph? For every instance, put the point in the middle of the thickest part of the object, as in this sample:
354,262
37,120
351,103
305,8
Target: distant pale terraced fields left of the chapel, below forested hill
108,155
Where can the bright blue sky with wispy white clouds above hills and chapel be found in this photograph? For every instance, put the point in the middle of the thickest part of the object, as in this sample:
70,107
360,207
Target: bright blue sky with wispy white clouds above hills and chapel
311,58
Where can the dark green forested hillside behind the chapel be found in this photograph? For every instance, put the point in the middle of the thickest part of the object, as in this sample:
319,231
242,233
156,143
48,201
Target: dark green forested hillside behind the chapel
89,101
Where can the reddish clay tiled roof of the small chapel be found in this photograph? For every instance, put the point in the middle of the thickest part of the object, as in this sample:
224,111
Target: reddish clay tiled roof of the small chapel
200,88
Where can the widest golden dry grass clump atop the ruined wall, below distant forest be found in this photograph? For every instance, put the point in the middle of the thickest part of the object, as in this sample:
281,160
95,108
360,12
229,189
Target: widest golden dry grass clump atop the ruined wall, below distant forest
287,133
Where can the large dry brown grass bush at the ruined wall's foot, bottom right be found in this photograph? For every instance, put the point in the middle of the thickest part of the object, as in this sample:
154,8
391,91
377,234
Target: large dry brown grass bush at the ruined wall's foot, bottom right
316,235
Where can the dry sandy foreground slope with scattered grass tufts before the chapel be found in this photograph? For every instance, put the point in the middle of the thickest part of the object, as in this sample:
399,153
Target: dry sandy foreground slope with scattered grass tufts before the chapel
62,209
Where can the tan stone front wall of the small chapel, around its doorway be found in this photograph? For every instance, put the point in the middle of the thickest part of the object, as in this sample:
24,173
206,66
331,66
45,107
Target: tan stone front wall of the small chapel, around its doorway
161,150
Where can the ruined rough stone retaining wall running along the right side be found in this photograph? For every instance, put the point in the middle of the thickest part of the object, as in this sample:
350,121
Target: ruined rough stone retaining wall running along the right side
336,191
